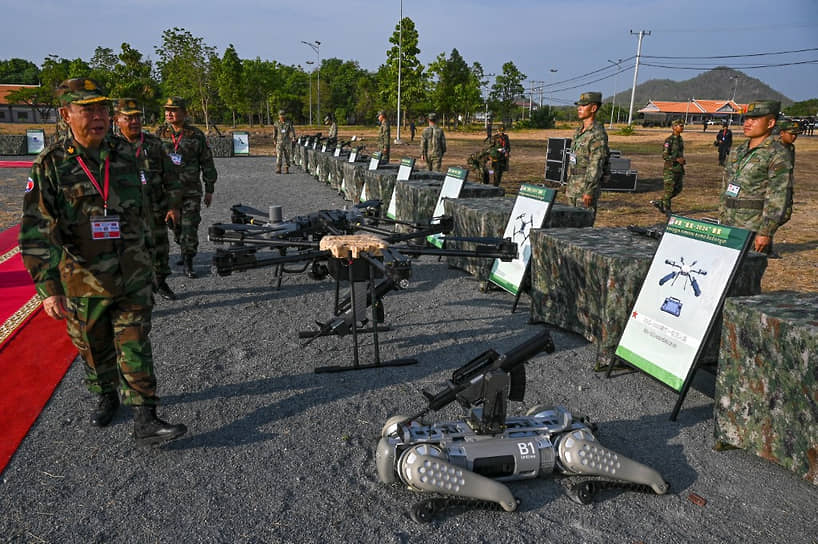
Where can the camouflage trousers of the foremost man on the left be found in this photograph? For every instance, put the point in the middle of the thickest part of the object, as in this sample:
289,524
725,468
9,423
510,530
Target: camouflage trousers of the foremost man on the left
111,335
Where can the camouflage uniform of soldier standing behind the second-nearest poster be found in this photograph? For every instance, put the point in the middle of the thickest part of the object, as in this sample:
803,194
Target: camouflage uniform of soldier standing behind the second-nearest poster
590,149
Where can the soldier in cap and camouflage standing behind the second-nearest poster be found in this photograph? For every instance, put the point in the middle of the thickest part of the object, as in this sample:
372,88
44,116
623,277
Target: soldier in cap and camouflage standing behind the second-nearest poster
588,155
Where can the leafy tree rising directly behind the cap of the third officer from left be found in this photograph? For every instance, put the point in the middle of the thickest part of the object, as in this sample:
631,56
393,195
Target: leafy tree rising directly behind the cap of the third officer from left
187,68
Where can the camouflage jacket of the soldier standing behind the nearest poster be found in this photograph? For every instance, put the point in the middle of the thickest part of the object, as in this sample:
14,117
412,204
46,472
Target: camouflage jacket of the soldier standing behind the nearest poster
762,175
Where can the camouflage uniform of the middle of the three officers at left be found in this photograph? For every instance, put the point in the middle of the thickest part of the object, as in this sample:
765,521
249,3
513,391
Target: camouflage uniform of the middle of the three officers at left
164,191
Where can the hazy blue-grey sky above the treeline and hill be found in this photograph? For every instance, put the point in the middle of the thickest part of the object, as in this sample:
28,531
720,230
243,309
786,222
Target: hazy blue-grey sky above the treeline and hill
572,37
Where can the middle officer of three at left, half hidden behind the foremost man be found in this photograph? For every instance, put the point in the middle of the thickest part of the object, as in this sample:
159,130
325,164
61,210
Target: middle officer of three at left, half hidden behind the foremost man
159,179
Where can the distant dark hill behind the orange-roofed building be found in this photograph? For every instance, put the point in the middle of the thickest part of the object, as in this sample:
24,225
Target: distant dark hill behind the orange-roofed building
713,85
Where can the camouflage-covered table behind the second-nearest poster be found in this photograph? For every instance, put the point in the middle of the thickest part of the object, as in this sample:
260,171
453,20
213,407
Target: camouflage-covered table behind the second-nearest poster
488,217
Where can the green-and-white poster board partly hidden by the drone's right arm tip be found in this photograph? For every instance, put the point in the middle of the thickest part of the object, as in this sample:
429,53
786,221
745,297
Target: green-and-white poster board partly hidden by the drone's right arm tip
530,210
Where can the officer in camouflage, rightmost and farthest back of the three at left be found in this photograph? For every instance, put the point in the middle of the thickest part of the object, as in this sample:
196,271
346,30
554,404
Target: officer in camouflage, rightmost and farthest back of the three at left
187,148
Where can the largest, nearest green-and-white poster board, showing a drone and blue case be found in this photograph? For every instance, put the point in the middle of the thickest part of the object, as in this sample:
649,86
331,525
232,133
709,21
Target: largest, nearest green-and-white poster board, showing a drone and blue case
680,297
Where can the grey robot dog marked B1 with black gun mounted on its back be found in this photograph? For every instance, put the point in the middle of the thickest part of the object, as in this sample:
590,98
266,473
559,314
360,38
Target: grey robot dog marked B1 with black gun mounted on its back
470,458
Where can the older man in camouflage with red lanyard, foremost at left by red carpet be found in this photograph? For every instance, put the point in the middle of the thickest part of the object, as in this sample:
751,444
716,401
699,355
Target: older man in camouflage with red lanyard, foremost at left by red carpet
84,239
